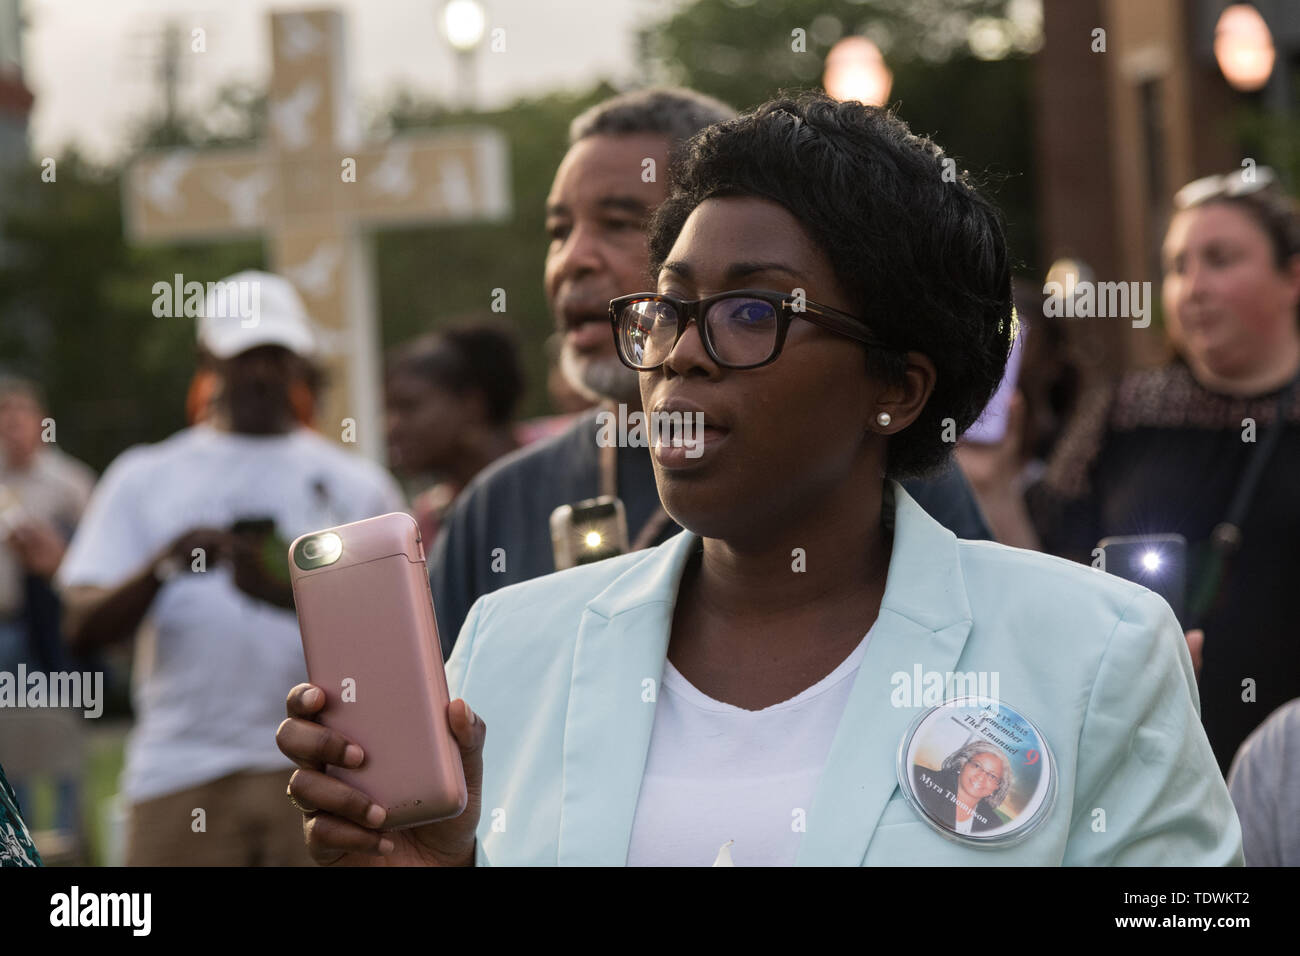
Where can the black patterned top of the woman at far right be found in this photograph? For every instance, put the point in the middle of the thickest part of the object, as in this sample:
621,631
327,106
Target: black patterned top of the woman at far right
1159,453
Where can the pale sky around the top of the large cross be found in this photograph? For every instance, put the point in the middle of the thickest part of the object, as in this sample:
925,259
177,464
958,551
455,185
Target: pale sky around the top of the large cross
93,64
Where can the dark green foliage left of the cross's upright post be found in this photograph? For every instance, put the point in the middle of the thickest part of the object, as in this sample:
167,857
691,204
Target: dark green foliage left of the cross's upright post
76,310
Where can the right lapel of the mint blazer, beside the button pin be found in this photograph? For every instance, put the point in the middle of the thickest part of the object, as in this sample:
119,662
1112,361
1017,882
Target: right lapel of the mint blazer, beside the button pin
925,620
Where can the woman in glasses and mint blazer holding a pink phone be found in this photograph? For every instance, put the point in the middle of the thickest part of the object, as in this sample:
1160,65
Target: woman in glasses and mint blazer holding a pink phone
835,302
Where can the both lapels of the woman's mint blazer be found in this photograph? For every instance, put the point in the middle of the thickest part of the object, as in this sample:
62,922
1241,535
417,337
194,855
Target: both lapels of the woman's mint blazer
623,642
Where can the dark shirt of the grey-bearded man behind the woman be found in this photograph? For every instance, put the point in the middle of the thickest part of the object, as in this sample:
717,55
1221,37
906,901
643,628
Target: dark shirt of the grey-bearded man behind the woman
509,508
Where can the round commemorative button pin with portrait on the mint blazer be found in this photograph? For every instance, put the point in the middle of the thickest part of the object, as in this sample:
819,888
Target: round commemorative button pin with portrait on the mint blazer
978,772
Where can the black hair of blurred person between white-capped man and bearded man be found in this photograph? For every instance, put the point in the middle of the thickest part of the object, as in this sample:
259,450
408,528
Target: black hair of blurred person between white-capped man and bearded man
470,356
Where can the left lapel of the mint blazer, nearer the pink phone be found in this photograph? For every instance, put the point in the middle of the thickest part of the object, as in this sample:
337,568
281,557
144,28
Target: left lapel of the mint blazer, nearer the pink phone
618,665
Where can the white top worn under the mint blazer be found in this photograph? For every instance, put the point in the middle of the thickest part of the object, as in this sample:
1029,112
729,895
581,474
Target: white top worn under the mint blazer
720,773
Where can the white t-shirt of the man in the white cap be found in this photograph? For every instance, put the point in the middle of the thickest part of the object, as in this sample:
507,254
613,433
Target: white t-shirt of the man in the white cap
214,665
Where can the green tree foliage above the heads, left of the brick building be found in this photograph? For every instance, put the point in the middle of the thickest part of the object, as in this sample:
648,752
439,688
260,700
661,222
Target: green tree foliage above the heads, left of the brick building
980,110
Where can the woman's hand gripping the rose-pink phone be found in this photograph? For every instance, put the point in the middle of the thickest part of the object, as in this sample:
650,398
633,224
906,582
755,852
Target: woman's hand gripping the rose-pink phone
343,825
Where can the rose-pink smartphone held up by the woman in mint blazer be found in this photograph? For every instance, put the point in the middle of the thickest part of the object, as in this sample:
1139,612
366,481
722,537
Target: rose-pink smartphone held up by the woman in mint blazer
371,642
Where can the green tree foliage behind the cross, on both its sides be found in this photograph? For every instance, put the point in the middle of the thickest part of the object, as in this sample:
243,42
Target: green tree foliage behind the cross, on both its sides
76,299
